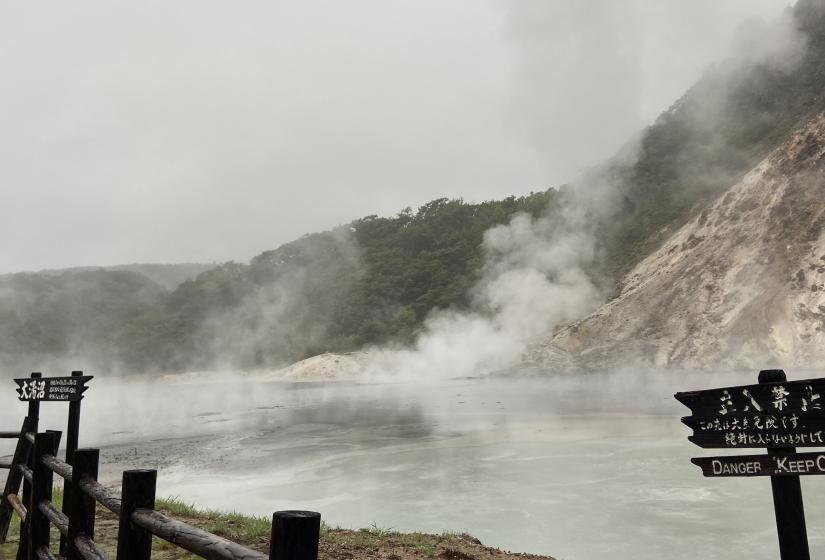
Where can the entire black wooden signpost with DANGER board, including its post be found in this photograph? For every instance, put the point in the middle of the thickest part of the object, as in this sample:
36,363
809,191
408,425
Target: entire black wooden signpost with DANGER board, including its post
776,414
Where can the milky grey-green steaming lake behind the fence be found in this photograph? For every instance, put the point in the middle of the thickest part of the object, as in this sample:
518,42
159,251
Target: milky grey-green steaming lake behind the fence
580,468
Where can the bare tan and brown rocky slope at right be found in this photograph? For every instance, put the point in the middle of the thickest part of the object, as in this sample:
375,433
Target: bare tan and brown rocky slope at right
741,285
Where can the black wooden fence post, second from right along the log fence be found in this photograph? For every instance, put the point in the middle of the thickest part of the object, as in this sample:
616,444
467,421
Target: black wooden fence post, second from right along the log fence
137,492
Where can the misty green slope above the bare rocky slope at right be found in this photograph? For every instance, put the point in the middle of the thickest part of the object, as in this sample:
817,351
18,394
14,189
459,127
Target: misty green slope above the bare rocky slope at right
732,118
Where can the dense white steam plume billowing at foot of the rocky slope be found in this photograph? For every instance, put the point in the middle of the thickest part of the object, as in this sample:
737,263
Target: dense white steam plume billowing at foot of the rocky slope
533,280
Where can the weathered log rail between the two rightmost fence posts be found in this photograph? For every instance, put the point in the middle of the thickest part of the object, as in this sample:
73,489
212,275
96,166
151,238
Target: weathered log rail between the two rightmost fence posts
198,541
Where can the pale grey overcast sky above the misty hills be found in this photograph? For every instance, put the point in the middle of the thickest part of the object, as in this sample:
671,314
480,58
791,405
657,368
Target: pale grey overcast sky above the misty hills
159,131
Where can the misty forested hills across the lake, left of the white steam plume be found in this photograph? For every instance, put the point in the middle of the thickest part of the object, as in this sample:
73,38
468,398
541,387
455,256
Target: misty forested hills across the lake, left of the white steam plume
370,281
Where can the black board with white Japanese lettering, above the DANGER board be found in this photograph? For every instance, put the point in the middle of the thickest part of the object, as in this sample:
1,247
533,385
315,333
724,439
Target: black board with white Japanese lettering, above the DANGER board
777,414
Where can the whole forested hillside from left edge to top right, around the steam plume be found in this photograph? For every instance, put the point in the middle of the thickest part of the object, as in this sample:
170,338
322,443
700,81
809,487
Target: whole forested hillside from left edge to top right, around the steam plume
376,279
